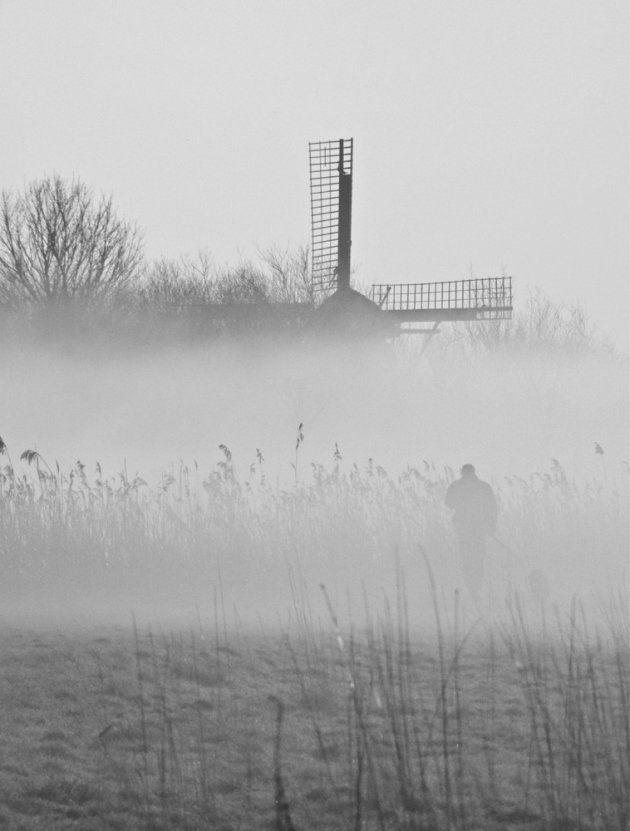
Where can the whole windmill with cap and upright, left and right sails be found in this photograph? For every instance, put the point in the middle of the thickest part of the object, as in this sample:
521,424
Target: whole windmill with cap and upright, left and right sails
337,309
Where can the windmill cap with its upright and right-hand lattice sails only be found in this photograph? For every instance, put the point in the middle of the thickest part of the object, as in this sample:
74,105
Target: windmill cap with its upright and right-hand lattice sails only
392,308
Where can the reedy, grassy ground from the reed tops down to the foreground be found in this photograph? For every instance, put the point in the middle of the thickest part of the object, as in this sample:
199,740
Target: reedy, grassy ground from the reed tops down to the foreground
307,656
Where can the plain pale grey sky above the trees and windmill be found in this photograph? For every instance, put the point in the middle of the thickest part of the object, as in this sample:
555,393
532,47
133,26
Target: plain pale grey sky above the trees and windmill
490,135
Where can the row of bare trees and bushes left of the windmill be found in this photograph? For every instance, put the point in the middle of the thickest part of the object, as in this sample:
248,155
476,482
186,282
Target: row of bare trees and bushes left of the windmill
59,244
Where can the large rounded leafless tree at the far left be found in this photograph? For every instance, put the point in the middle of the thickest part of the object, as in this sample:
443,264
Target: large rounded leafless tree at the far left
59,245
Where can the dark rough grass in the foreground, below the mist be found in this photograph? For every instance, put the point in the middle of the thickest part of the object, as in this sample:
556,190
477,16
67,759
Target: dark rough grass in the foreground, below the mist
214,726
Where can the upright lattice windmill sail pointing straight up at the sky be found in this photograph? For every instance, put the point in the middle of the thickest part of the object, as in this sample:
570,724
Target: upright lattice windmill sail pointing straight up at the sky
331,213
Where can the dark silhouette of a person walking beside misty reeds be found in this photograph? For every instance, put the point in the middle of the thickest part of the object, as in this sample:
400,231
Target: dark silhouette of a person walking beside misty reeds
475,518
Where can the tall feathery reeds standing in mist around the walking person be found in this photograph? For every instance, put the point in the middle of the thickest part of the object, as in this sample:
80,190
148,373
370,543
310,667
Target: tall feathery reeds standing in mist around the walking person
353,520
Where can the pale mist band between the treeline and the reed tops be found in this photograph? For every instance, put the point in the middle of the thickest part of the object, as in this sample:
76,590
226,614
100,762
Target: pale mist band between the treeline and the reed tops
154,408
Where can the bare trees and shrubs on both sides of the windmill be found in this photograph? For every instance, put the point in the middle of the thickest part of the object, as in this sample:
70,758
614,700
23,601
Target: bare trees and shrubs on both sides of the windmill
70,265
